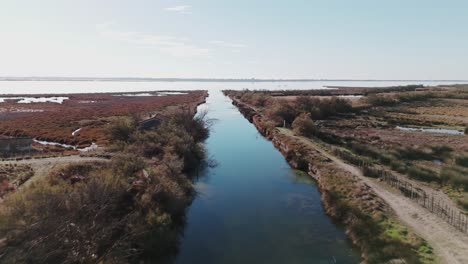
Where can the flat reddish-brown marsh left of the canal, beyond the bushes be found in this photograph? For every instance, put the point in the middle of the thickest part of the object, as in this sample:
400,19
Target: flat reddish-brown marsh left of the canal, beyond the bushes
91,112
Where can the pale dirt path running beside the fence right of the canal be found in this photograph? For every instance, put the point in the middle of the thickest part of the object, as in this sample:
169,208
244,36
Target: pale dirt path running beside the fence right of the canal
449,244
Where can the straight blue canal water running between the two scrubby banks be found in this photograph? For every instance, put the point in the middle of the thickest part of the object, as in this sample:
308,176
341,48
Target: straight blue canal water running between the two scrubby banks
252,207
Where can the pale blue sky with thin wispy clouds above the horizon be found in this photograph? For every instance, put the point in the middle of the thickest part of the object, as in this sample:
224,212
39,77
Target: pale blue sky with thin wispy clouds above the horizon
359,39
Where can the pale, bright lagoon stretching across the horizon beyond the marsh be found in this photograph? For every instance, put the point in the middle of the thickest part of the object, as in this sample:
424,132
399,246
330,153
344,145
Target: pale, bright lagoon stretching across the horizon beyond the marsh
61,87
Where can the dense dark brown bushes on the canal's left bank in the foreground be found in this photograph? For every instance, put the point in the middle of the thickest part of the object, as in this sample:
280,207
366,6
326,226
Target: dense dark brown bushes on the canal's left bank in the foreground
128,210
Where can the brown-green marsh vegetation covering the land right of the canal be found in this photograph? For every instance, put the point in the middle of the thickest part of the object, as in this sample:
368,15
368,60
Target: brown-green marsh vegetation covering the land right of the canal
366,129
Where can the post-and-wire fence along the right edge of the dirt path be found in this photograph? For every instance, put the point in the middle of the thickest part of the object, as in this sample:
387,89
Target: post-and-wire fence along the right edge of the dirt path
435,205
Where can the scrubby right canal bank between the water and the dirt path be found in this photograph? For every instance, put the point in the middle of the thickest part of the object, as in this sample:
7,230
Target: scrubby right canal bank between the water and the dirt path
347,197
